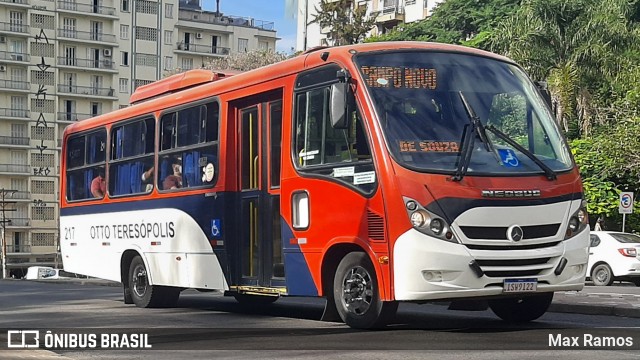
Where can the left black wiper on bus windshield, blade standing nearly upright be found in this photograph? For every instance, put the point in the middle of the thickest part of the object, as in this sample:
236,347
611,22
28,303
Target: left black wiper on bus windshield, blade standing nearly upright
476,127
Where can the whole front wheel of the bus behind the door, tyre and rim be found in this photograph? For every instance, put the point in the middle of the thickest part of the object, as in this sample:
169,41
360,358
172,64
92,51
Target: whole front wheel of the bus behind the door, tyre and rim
357,295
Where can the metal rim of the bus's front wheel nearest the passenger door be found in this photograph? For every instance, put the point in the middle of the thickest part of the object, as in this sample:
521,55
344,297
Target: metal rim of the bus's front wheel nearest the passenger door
357,290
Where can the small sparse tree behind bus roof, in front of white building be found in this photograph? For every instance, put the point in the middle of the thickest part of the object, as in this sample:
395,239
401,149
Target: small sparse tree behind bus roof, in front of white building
347,23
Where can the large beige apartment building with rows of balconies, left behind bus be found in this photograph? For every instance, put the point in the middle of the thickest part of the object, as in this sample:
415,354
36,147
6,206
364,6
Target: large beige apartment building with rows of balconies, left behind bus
63,61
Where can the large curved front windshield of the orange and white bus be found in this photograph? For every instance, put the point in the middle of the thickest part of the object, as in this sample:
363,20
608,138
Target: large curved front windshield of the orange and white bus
427,102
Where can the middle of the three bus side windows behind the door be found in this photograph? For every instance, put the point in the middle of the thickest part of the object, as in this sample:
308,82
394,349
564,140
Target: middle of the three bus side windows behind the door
132,157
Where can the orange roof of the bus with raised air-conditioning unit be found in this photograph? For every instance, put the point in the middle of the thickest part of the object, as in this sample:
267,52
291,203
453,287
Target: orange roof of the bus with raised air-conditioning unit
153,97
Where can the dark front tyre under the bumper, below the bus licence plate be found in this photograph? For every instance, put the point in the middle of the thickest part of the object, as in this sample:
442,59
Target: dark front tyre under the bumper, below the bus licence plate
521,309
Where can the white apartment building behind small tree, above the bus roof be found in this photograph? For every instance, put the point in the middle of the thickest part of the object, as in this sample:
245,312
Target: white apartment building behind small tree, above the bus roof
388,14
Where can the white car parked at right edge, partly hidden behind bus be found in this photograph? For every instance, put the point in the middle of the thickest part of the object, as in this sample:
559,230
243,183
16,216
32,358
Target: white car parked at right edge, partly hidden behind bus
614,256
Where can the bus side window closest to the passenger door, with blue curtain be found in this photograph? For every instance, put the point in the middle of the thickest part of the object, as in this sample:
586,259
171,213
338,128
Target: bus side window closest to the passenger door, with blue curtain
188,147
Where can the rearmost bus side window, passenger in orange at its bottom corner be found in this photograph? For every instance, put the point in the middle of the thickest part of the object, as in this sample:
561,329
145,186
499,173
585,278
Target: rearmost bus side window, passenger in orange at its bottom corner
85,162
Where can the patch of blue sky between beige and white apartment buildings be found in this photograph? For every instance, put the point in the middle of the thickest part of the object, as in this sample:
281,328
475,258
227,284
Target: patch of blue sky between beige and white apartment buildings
266,10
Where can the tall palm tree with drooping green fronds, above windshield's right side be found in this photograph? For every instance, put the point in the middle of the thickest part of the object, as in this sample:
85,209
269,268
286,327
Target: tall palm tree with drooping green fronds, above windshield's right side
578,46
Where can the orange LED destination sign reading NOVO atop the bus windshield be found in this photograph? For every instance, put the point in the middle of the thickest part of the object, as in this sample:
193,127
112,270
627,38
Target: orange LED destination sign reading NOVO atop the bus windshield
400,77
